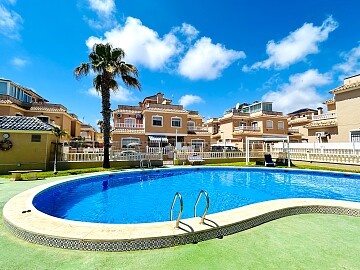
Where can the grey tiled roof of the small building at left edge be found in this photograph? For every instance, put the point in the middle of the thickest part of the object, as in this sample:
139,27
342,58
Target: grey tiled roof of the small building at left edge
23,123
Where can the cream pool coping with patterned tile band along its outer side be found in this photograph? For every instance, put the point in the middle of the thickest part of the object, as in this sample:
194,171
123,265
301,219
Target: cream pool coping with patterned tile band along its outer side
26,222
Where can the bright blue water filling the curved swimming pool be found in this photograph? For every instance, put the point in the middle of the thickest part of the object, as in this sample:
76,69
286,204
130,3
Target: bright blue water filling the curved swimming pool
146,196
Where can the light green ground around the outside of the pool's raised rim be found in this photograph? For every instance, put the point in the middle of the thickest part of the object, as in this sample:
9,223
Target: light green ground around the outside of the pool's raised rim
312,241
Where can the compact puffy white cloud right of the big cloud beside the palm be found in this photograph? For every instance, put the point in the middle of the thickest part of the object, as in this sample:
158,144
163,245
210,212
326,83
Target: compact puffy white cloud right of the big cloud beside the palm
206,60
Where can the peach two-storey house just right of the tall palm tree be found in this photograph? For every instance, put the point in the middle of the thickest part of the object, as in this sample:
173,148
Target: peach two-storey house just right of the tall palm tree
155,122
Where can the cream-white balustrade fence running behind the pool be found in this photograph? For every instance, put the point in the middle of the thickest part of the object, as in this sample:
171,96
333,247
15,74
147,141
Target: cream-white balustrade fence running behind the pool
343,153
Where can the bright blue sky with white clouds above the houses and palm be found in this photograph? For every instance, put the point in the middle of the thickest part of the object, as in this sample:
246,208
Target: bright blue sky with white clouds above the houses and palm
205,55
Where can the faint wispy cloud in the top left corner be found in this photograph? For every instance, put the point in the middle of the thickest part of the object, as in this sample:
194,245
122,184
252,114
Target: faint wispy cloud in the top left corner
10,23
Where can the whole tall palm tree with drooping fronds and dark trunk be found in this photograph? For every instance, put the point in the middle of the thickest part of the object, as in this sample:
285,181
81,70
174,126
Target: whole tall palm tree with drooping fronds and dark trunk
108,63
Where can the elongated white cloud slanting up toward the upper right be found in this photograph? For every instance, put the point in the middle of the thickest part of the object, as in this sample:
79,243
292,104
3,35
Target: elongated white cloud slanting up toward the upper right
296,46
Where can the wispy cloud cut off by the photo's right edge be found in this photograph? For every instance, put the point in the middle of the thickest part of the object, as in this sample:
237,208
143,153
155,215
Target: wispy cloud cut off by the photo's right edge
351,64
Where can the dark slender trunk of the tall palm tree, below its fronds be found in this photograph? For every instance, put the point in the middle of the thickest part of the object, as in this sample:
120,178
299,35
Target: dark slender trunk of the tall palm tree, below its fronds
106,113
